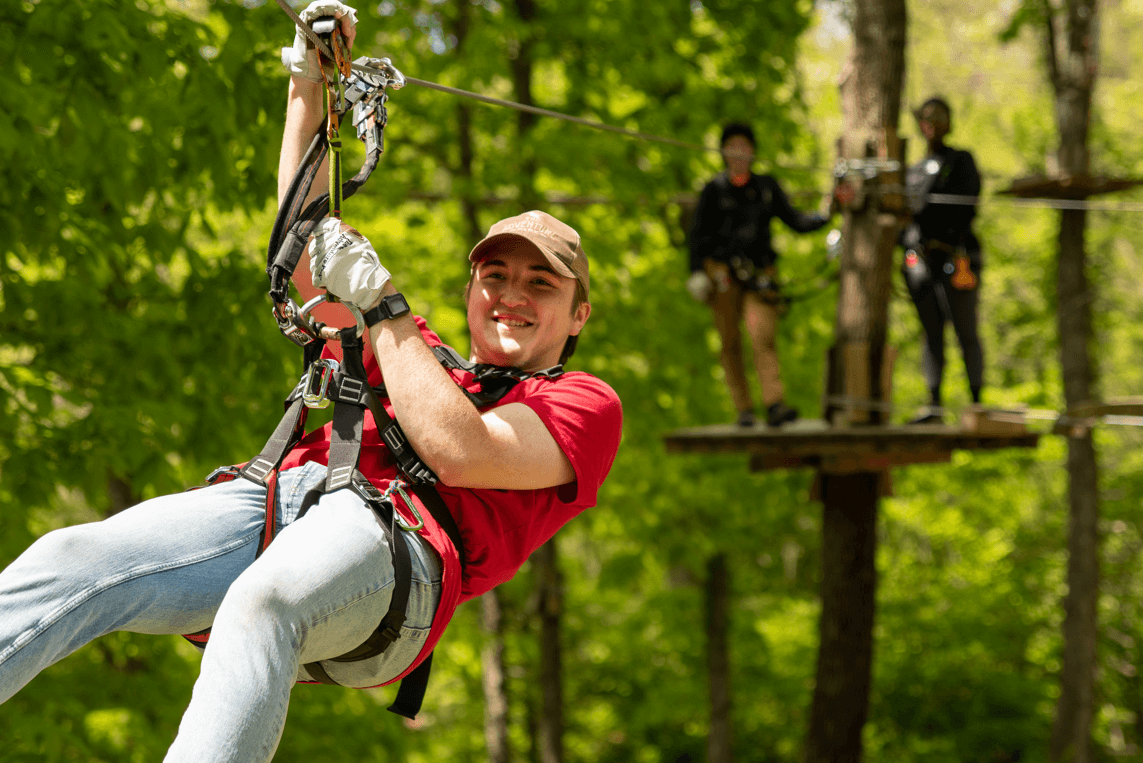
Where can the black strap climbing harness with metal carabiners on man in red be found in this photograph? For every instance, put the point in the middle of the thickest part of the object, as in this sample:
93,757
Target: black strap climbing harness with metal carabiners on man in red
362,86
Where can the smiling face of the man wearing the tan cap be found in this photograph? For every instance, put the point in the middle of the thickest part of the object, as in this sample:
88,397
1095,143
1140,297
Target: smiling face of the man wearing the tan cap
521,311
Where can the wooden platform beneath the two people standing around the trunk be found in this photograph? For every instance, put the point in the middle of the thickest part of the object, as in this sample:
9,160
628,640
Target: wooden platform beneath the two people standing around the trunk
841,451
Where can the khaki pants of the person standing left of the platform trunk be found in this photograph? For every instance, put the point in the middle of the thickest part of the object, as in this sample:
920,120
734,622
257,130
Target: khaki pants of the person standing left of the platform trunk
732,304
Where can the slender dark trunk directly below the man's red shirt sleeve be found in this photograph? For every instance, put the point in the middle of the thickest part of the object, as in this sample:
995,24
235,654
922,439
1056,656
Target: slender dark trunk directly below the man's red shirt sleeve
551,690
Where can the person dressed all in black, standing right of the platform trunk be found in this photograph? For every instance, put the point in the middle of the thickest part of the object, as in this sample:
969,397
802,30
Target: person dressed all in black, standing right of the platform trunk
942,262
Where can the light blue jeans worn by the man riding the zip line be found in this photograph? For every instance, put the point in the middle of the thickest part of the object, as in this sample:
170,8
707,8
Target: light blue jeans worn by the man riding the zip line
186,563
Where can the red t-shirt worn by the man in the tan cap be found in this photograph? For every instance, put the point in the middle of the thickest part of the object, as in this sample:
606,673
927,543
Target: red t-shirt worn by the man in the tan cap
500,528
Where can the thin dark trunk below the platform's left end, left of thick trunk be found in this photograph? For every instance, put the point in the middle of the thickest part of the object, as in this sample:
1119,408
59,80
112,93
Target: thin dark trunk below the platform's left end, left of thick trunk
718,658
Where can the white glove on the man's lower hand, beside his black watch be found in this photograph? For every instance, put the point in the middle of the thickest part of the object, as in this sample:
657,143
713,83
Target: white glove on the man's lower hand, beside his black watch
345,263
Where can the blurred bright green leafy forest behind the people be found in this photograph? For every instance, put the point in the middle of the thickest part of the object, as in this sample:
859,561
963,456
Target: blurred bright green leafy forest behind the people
139,147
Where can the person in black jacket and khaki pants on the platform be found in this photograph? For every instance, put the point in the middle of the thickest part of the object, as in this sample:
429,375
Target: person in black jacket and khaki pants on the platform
733,270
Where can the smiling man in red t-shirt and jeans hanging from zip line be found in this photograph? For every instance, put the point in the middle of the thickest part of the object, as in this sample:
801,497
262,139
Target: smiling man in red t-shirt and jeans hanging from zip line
511,473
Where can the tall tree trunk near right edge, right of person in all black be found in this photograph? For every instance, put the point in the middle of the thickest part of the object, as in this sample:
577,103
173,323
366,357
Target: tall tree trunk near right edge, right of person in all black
1073,66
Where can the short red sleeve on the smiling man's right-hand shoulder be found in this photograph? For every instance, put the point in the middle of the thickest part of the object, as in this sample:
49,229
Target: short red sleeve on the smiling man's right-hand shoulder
586,419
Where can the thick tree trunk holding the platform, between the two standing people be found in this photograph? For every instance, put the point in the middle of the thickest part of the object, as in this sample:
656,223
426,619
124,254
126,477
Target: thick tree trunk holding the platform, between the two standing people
872,105
